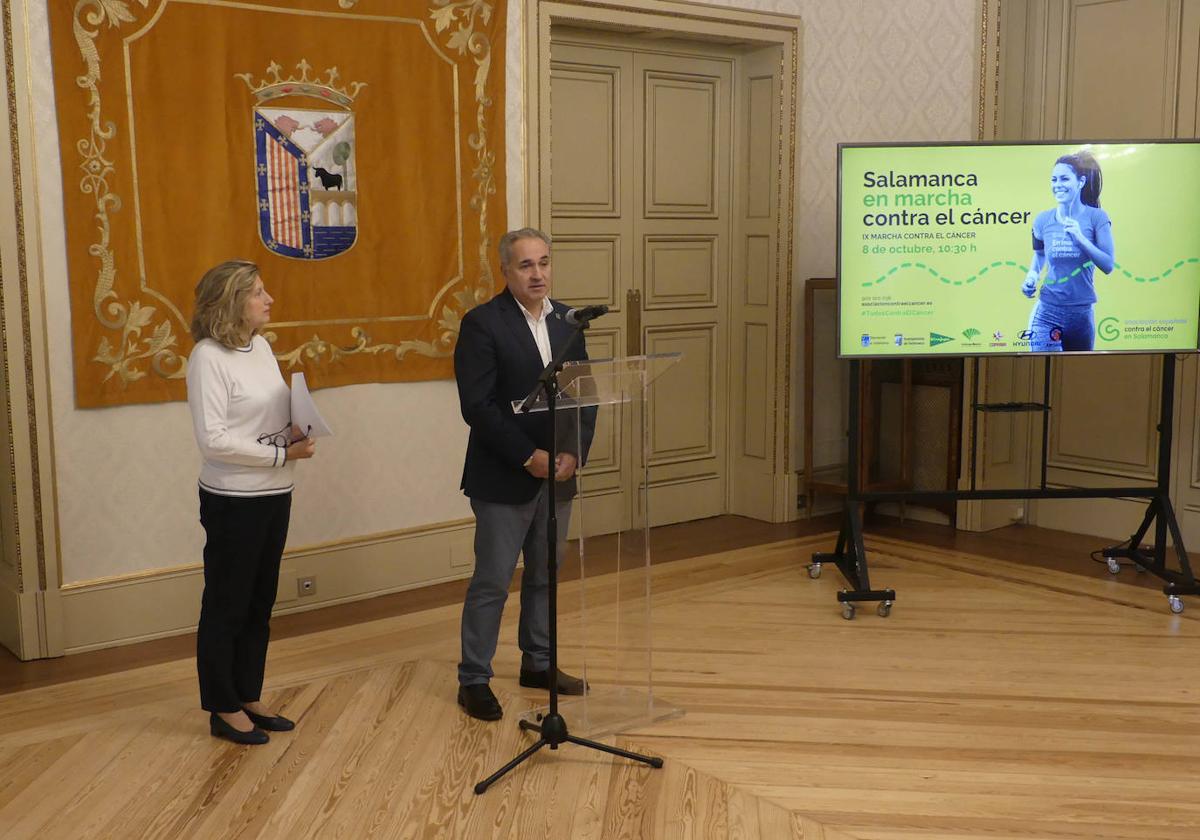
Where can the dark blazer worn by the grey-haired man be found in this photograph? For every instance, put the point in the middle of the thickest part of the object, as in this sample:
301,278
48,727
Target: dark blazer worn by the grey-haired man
495,363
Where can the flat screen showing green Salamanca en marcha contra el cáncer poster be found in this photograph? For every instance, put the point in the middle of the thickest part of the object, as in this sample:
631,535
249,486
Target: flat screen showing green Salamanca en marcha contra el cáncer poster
971,249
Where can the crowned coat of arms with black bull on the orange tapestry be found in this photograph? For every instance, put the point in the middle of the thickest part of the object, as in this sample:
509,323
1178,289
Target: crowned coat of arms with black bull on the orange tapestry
305,166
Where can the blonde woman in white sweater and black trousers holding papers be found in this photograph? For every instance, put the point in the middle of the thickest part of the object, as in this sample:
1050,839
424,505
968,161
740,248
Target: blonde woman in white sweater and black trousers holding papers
242,417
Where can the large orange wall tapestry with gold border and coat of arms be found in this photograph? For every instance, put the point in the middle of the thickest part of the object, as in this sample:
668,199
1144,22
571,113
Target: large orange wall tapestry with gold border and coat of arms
352,148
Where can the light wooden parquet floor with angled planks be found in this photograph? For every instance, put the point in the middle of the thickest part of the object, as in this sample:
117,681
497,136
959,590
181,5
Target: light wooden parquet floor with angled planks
999,701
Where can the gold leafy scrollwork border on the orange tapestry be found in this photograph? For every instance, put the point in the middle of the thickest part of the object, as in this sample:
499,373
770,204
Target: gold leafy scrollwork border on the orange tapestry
142,341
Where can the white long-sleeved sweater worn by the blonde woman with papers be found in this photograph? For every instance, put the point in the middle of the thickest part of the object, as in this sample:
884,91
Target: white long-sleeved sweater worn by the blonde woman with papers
239,398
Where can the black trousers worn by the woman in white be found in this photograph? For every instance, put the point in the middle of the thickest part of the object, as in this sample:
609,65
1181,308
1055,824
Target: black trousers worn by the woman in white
244,543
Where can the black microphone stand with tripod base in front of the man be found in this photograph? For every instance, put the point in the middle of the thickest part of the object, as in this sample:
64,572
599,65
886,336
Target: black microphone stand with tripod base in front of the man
553,728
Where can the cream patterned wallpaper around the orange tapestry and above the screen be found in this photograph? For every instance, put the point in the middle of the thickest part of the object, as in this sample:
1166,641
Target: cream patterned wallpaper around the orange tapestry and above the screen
873,70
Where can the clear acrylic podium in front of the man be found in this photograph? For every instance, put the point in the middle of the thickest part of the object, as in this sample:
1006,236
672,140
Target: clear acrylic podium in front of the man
604,620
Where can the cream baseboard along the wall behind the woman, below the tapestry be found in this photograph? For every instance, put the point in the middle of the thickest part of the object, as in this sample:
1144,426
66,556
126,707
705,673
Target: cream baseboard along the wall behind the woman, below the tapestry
148,607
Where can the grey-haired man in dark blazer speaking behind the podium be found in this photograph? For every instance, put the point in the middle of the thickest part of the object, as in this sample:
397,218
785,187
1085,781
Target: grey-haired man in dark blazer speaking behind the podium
503,347
